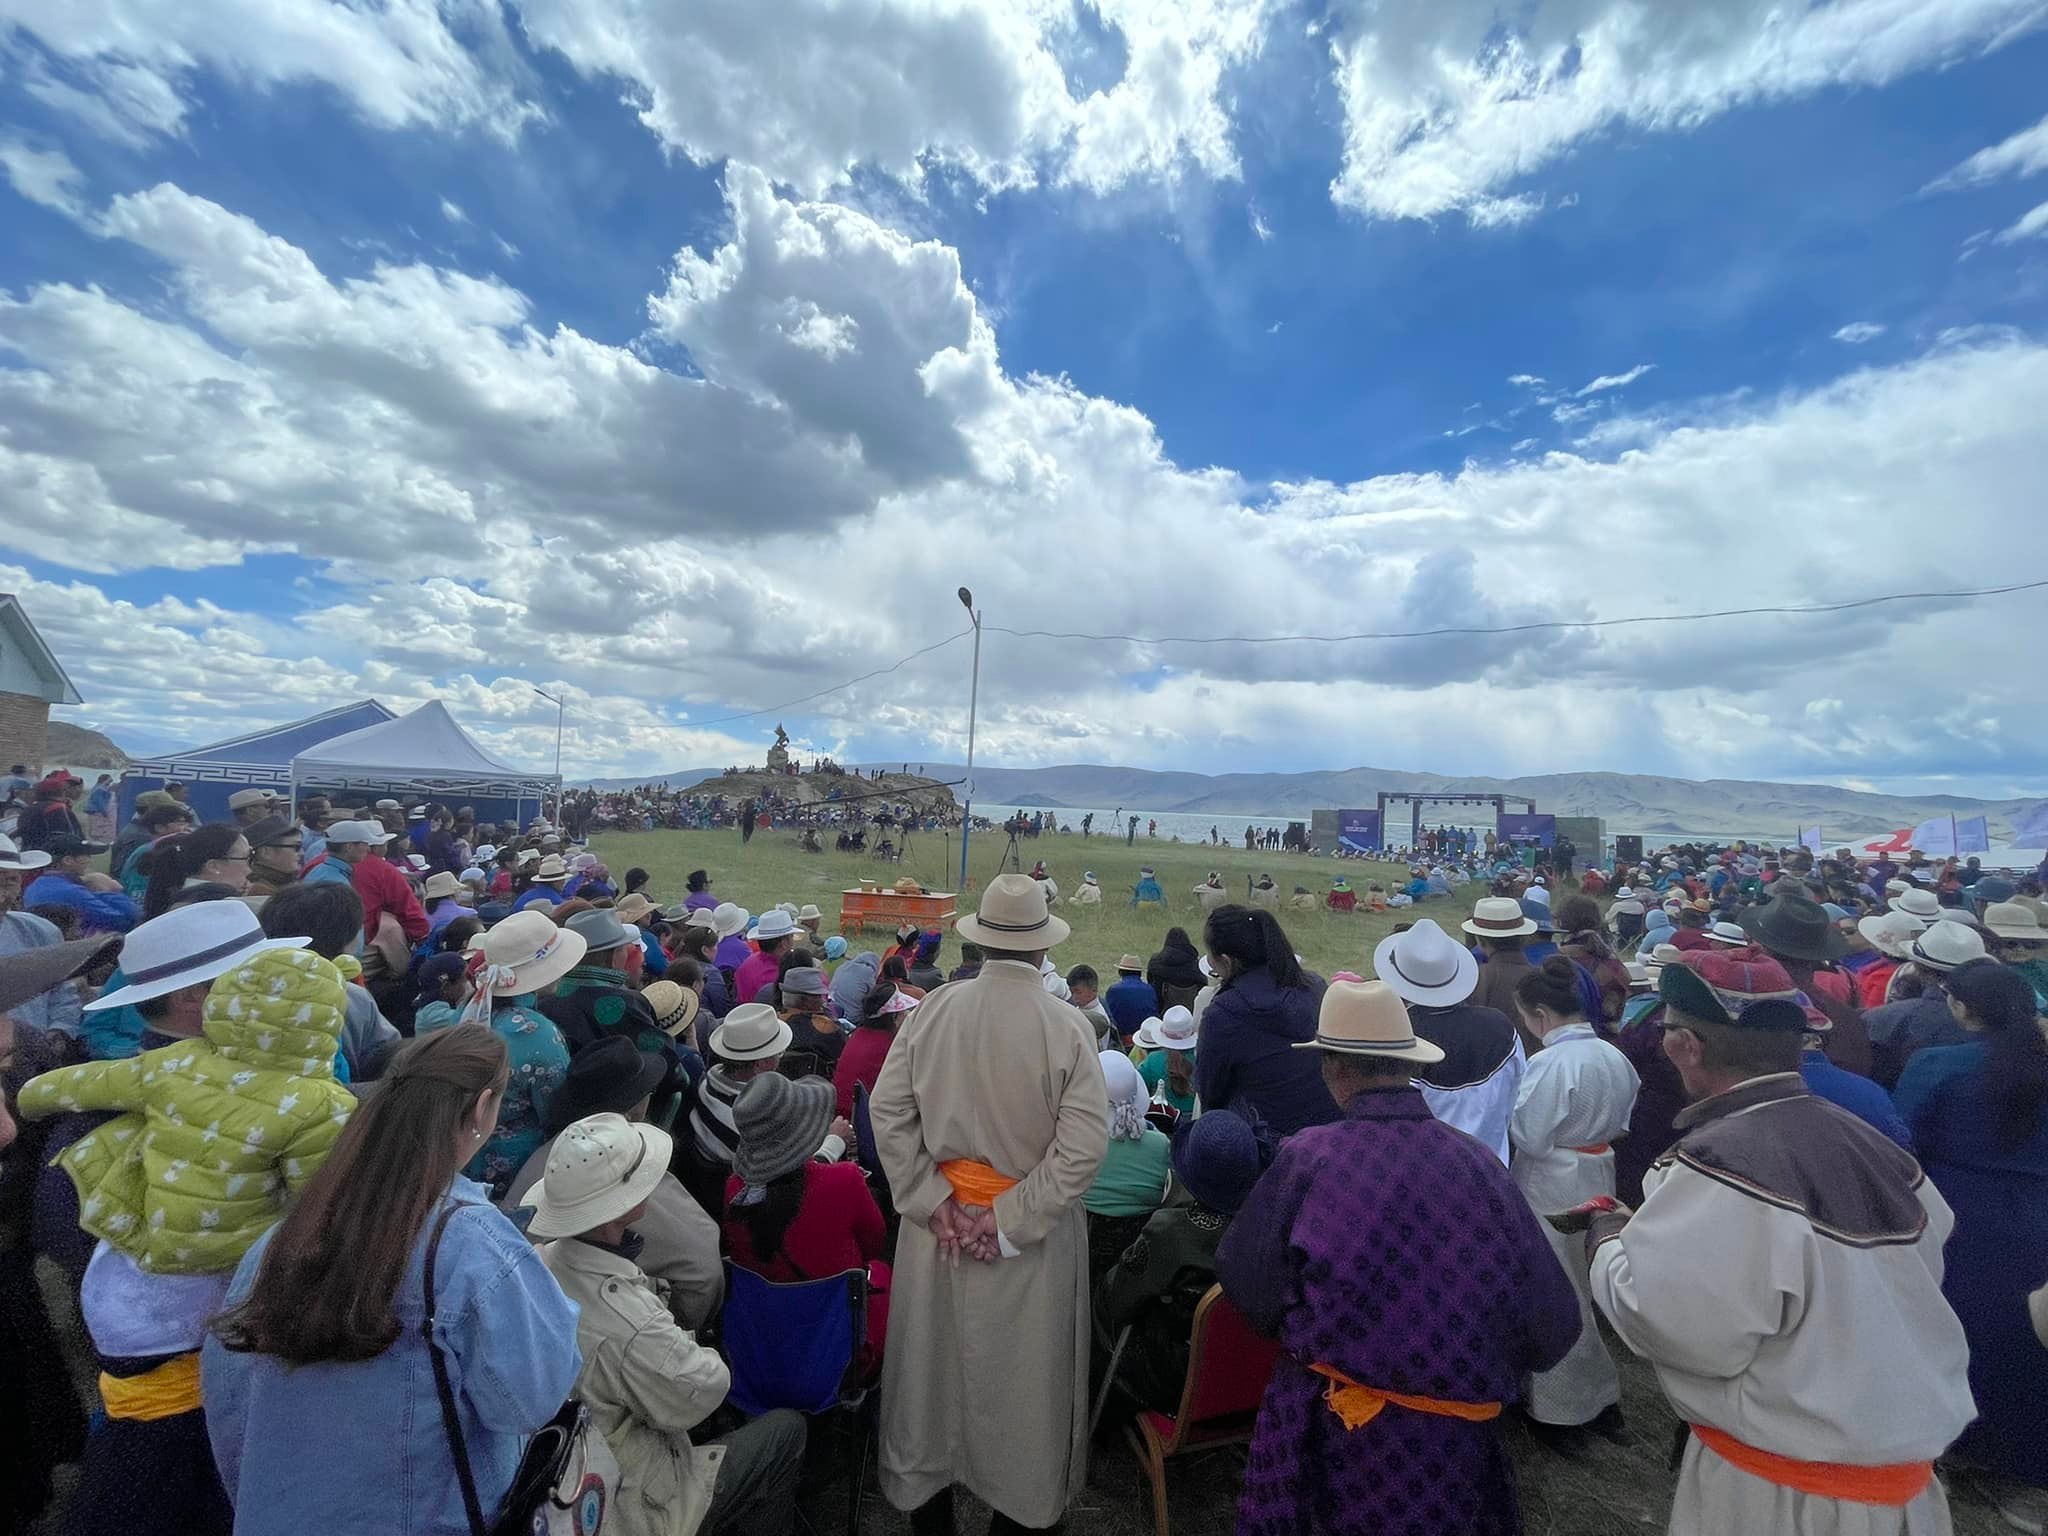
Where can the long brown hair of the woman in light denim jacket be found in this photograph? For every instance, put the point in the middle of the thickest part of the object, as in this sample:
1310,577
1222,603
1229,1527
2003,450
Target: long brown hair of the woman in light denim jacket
335,1267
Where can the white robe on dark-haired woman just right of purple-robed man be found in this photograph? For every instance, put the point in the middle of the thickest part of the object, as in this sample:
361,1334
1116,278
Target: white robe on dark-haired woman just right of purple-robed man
1576,1093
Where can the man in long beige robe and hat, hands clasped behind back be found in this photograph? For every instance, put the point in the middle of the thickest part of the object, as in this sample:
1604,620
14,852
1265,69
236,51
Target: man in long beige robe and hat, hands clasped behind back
990,1119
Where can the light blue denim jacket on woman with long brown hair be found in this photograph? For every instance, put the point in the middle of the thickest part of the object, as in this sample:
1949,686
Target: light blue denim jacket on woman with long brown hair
509,1336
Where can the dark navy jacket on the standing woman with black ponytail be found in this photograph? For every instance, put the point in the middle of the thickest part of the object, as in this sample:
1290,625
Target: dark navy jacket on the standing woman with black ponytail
1246,1056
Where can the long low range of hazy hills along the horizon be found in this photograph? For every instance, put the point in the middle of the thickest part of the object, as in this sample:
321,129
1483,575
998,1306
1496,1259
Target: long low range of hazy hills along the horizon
1644,804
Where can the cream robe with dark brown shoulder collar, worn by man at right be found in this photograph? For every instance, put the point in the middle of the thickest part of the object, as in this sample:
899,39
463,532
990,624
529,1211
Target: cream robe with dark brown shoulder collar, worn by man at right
1799,1338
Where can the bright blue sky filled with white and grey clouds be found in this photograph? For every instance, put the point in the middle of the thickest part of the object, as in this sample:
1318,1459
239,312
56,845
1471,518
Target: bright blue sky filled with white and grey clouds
689,364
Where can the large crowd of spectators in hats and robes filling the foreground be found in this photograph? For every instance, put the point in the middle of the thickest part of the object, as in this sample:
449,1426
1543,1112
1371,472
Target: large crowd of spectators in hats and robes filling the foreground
339,1119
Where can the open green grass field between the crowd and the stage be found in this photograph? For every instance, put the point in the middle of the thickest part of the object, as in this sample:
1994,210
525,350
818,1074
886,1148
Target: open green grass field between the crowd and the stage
773,869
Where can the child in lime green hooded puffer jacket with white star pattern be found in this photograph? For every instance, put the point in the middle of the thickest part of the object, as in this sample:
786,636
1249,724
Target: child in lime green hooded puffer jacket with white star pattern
220,1129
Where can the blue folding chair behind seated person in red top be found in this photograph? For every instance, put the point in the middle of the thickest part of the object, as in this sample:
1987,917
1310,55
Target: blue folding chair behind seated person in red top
798,1347
